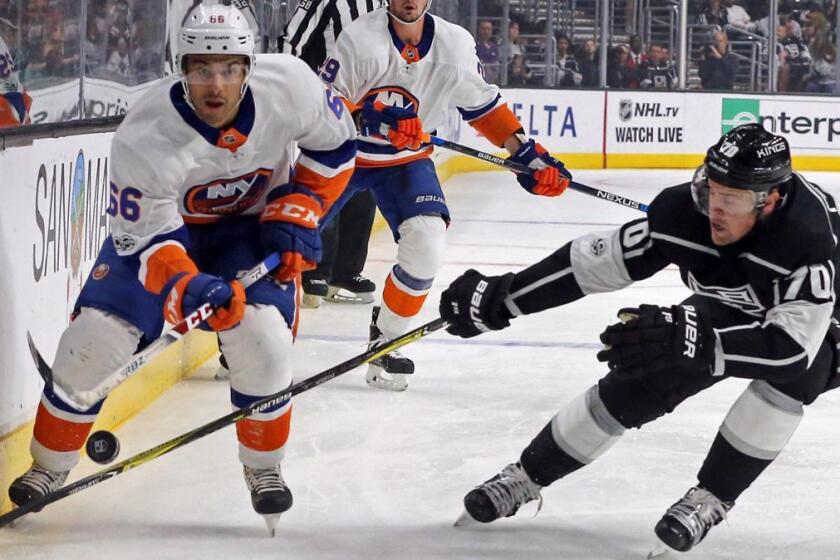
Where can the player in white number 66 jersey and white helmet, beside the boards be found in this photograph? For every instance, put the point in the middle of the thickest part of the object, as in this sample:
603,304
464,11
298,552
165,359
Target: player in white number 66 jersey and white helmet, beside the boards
201,190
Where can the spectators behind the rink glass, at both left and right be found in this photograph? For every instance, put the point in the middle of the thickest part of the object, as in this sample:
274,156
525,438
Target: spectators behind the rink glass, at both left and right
51,42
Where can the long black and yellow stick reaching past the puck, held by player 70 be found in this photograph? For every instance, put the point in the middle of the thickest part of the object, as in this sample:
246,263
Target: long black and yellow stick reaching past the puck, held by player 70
219,423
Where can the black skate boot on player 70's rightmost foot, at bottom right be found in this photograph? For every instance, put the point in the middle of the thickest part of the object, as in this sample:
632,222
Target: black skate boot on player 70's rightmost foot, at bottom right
688,521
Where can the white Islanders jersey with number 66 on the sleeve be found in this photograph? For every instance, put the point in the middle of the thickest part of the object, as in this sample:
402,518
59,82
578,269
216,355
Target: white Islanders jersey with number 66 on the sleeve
169,168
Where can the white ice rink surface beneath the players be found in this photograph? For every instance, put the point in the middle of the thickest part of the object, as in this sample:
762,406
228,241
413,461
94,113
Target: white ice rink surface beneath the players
382,475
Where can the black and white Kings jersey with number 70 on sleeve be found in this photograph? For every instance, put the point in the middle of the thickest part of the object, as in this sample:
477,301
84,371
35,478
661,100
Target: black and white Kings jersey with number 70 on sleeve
781,276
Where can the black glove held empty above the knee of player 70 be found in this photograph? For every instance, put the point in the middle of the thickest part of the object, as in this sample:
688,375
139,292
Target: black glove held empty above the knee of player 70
652,338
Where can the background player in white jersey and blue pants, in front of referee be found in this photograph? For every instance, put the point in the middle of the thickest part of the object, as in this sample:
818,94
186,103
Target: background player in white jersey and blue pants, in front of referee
400,70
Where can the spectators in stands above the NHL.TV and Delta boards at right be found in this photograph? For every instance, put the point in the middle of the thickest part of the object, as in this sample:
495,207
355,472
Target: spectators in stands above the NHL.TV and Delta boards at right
806,50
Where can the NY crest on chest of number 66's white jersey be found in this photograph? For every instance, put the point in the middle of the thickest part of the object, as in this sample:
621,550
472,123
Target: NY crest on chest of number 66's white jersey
227,197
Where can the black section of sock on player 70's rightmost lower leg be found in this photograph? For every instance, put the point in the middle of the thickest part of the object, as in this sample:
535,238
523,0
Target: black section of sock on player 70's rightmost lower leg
727,472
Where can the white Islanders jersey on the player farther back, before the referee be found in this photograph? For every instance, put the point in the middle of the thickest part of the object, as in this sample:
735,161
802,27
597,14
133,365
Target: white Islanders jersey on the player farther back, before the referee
371,63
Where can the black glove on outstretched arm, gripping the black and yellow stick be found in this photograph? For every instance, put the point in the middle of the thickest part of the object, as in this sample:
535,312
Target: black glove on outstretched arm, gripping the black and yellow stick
475,303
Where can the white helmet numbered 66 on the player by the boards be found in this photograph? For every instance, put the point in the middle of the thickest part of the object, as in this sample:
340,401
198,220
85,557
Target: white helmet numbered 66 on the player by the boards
215,29
